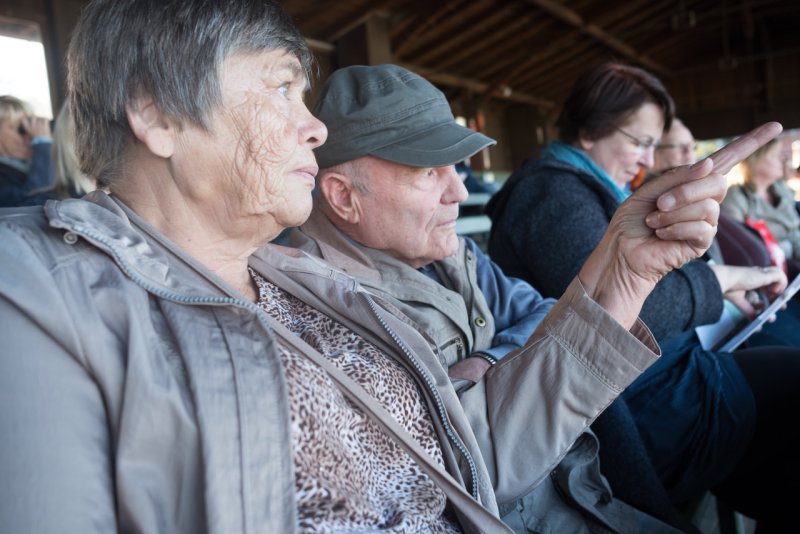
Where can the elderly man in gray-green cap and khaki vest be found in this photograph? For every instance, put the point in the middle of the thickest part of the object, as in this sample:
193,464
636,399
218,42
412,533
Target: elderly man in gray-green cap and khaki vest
385,214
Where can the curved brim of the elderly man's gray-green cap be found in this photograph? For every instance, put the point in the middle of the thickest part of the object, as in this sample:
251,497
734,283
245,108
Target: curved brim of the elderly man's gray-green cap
445,144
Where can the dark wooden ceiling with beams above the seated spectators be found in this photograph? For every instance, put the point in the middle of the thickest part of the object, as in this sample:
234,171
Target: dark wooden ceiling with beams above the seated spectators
729,64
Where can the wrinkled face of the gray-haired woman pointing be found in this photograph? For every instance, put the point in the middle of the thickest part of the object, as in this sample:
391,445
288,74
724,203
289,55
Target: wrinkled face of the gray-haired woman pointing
256,160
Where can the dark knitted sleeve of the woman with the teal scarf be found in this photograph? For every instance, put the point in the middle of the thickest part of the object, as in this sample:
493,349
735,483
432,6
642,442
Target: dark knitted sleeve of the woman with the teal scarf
552,224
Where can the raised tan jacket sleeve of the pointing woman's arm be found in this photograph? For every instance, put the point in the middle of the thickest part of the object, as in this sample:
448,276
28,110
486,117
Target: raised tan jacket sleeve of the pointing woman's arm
530,407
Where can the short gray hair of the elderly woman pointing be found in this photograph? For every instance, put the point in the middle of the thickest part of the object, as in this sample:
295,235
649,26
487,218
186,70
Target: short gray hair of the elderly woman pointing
170,50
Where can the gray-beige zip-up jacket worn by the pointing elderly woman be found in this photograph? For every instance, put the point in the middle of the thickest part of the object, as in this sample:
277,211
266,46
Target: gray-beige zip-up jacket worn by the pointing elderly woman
139,392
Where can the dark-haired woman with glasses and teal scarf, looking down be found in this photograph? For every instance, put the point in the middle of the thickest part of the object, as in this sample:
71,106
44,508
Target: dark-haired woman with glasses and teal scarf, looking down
709,420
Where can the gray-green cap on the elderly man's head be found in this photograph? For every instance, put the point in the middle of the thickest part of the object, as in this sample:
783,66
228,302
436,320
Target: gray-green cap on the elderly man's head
391,113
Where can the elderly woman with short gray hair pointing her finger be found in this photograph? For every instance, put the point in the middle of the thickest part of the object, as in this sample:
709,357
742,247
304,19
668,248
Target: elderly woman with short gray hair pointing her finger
165,369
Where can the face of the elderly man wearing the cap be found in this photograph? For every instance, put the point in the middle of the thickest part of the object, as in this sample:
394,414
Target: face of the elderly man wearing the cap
409,212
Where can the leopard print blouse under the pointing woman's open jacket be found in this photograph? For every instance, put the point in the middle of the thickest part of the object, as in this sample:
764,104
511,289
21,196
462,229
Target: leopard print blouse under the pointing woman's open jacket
349,475
